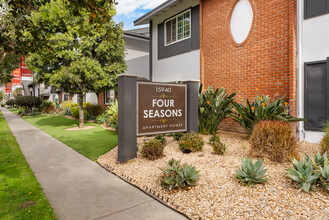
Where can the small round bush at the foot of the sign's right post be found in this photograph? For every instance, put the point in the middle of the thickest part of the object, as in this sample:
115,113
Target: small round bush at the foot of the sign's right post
191,142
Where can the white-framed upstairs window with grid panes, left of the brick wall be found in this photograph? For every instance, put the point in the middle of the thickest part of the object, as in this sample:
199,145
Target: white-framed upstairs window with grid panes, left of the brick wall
178,28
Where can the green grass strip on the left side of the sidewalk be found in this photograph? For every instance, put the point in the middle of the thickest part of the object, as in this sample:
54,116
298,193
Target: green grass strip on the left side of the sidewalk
20,194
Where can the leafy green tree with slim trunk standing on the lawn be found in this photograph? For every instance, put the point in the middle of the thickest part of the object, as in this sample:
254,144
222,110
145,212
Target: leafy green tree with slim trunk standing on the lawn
75,53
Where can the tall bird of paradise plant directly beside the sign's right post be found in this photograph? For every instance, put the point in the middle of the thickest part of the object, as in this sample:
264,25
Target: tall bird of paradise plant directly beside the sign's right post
214,107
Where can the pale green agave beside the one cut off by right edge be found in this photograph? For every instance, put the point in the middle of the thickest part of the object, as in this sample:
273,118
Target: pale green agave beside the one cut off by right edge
303,174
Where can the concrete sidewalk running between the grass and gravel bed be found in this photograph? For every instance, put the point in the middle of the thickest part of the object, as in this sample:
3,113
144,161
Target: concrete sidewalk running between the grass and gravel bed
76,187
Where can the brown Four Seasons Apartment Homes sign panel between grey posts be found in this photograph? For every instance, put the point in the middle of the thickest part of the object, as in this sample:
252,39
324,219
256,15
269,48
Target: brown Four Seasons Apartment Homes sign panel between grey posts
161,108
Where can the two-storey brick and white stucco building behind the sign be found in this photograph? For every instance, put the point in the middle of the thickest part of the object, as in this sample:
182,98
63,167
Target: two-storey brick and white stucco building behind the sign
252,47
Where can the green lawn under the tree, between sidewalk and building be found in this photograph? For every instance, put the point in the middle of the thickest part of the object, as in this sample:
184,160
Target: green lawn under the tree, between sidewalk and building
91,143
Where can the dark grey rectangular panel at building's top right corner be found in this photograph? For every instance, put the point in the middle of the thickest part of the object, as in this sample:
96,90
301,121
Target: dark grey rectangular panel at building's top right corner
315,8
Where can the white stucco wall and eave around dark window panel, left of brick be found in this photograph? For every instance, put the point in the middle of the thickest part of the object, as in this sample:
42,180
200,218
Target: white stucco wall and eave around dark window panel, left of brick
180,67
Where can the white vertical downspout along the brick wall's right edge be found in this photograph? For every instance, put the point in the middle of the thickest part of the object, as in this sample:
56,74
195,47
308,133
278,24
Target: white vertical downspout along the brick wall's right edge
300,68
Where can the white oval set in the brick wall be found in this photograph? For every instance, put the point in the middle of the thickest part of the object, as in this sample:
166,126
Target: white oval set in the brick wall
241,20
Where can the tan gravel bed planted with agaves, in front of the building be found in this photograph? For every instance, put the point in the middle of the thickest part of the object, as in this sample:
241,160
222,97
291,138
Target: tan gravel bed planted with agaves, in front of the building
218,195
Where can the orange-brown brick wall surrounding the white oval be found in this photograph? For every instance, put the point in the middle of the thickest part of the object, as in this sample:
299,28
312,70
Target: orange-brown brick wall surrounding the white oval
264,64
